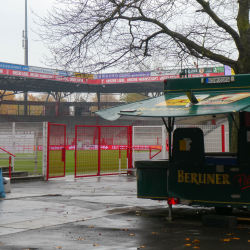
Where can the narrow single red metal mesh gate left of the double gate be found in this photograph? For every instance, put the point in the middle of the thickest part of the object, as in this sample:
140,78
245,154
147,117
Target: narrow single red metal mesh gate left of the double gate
56,150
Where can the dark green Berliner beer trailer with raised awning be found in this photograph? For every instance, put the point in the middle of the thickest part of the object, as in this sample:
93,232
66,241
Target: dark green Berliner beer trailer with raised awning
191,176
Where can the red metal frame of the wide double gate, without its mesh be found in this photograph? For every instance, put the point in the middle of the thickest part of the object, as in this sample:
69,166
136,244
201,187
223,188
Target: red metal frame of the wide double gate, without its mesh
98,128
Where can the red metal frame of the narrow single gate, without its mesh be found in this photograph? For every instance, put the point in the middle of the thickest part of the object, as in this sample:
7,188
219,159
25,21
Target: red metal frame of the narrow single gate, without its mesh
63,159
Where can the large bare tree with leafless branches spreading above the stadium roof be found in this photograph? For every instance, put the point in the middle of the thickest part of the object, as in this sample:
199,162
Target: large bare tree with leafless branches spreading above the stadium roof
94,34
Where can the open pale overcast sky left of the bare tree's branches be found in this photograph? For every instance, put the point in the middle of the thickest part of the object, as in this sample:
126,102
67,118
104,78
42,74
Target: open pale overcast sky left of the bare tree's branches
12,16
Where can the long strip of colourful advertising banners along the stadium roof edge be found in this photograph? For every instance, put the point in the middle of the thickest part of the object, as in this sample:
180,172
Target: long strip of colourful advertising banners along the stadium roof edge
133,77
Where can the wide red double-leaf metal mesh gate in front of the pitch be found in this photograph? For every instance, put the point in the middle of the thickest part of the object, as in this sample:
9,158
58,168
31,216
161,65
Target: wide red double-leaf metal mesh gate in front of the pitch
102,150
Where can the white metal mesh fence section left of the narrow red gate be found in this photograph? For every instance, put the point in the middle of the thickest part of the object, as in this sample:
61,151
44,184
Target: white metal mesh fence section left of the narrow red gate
28,141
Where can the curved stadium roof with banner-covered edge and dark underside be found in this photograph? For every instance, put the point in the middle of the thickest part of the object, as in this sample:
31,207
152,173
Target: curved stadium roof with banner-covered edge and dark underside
28,78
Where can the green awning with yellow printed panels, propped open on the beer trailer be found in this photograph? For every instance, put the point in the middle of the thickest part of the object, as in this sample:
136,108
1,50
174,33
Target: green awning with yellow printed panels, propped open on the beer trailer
179,105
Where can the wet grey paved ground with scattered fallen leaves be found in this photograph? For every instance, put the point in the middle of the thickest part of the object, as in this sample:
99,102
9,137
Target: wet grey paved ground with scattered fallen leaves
104,213
